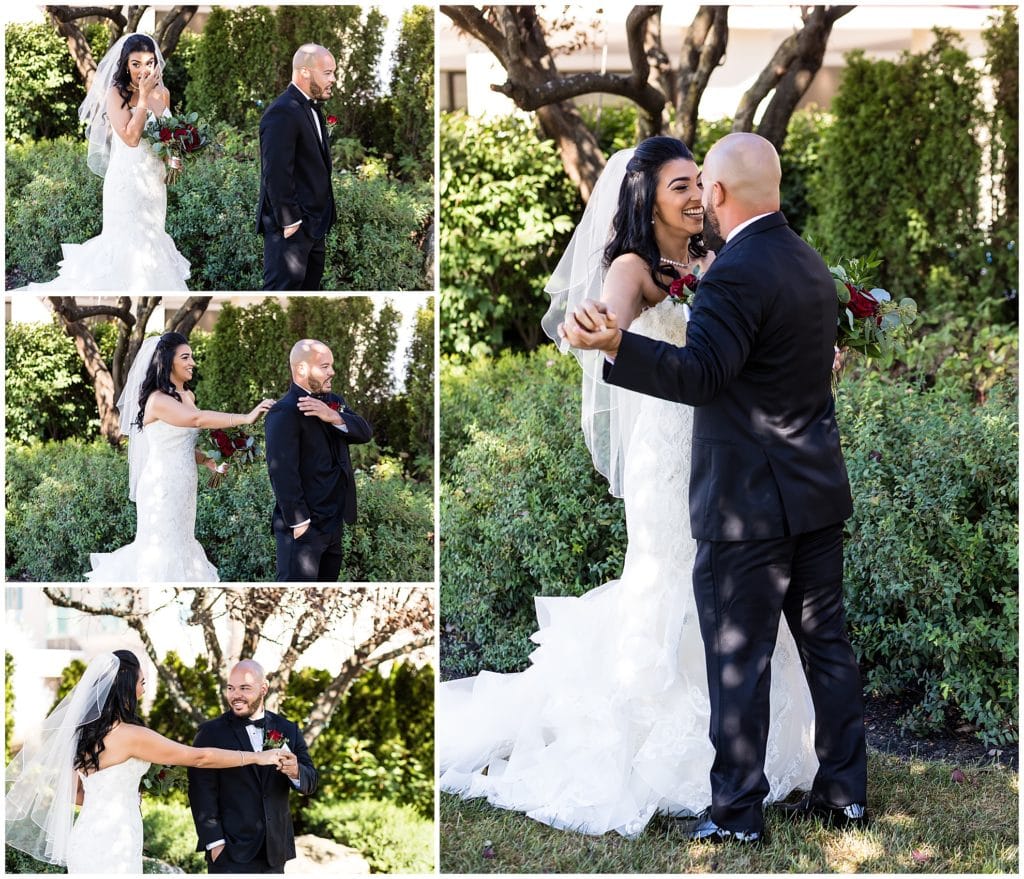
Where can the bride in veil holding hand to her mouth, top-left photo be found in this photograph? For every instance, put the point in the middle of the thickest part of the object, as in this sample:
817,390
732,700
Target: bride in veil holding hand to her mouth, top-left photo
134,253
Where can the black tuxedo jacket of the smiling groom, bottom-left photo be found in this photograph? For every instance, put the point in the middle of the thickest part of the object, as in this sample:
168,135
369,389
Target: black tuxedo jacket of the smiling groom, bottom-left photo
248,805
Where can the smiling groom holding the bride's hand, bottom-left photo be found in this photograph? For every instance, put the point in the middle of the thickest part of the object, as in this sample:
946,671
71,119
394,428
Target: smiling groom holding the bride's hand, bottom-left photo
242,816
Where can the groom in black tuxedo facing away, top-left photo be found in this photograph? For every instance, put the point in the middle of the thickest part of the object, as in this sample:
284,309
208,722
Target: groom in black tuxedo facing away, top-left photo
296,202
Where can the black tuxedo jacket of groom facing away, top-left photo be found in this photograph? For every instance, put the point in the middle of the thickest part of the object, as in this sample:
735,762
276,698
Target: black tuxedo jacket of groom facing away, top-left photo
295,170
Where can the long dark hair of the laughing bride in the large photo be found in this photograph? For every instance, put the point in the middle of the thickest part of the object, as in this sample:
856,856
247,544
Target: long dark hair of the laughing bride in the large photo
632,227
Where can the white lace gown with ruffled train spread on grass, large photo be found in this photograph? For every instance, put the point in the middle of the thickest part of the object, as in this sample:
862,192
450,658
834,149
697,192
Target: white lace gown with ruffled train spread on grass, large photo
610,724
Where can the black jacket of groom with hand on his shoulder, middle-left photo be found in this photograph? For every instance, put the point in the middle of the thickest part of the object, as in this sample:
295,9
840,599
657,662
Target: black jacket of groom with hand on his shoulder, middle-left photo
310,465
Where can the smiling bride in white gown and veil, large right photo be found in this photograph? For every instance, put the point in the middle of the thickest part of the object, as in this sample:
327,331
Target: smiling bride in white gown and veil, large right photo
610,725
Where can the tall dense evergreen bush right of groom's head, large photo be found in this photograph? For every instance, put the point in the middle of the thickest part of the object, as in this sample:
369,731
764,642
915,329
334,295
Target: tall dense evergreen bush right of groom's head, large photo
905,138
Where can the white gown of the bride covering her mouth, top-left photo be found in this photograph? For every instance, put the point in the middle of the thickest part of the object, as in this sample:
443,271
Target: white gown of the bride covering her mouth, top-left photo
134,253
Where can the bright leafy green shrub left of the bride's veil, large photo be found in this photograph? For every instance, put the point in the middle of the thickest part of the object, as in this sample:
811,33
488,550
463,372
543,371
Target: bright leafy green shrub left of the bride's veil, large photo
507,213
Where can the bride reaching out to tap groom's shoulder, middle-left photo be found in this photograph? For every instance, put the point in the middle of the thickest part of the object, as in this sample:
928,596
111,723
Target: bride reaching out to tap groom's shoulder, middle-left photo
160,417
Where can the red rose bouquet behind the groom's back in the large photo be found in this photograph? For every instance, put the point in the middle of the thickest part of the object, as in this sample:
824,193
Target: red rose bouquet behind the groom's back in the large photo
869,320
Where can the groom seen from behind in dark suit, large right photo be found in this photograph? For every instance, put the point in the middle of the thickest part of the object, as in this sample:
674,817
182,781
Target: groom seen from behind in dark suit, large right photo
769,487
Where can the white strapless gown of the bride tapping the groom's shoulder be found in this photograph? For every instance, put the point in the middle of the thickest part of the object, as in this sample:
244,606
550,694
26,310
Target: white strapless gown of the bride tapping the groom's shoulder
165,549
